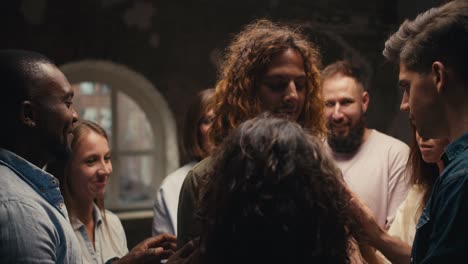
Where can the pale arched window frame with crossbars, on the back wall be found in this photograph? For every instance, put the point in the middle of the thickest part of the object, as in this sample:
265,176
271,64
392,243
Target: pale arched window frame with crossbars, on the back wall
147,97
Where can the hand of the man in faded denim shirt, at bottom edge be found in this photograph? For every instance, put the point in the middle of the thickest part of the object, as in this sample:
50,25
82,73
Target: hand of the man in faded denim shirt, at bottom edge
151,250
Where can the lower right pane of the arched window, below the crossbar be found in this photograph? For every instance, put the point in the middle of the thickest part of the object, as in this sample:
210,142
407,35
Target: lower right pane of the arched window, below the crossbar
136,173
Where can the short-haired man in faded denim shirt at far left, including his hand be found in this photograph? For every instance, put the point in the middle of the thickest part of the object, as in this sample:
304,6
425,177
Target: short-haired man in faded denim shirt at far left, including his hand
37,120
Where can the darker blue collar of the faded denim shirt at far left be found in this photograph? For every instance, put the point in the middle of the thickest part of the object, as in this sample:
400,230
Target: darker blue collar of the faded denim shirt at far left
46,185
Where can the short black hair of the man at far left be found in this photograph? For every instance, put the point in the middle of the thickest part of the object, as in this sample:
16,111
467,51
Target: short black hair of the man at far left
19,71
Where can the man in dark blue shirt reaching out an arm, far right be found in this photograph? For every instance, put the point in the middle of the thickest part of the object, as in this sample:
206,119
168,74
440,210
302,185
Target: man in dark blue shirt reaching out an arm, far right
432,53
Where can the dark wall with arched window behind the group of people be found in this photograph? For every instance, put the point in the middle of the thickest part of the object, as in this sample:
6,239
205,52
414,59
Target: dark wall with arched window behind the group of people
136,64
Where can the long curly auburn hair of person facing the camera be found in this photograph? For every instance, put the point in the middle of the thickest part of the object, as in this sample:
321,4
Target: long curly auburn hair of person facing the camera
246,59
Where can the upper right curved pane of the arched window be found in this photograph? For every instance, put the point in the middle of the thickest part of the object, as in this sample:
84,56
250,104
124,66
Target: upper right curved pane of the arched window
134,128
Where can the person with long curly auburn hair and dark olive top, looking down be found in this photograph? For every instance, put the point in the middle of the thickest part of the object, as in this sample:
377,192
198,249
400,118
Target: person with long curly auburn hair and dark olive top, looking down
267,68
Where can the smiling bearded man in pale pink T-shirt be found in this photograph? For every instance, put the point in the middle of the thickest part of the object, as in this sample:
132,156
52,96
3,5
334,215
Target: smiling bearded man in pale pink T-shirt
373,164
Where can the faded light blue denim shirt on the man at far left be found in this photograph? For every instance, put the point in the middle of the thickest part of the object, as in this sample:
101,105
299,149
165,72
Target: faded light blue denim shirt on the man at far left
34,226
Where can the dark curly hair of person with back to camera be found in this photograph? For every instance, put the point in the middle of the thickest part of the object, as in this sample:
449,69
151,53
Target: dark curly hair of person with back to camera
273,197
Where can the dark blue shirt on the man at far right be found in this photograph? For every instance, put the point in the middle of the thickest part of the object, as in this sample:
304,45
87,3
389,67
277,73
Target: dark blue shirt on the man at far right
442,230
